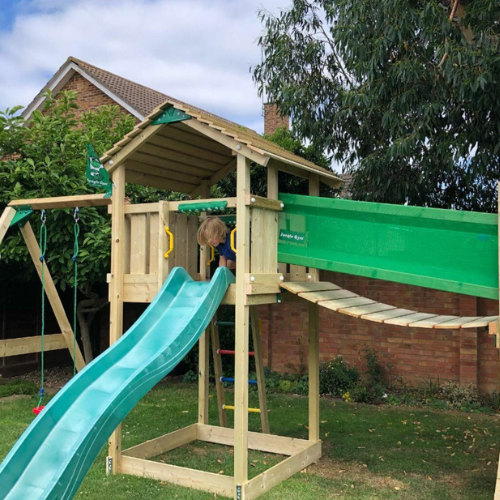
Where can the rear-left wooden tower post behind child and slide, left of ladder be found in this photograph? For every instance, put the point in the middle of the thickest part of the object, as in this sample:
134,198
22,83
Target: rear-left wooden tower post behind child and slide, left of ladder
204,342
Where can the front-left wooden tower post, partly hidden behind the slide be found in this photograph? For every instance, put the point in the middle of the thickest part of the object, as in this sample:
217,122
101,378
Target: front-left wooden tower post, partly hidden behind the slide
116,293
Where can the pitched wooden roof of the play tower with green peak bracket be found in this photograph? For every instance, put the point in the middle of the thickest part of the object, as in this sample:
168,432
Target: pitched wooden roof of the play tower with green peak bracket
182,148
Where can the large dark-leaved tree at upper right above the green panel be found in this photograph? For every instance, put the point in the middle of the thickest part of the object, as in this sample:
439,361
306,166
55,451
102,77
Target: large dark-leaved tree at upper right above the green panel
405,93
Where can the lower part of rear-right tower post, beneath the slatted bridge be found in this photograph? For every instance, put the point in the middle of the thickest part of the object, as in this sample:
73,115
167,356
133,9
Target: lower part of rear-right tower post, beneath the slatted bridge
313,372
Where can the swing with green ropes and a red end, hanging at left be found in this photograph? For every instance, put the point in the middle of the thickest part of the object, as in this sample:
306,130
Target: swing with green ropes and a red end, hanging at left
43,248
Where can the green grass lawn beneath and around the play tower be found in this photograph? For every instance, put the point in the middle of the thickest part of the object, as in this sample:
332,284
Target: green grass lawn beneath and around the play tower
369,452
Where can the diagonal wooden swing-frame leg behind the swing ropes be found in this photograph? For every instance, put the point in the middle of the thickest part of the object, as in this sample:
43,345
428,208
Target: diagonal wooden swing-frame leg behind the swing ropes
52,295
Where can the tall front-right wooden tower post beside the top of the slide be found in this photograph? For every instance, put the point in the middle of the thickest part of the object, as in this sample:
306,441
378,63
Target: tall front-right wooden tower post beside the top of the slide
242,330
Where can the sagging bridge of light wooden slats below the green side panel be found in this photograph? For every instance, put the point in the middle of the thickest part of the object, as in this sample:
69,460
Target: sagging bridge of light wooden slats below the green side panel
343,301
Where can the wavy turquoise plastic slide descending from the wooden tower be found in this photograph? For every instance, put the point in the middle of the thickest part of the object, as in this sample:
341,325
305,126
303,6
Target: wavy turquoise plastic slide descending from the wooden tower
53,455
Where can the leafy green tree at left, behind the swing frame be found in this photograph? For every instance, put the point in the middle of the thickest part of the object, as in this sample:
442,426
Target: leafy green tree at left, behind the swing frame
46,157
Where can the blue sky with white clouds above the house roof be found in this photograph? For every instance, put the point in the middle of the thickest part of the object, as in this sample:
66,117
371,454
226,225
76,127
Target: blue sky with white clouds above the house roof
198,51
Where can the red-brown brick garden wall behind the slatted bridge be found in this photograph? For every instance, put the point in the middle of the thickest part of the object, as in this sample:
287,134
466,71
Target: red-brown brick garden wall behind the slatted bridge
416,354
